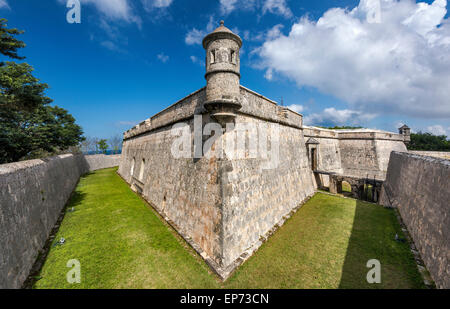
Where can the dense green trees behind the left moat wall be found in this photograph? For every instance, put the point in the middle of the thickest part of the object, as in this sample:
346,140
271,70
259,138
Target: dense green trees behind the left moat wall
29,126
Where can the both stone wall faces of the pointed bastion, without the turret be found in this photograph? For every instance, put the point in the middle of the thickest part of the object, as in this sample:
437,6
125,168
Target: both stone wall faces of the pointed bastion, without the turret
221,206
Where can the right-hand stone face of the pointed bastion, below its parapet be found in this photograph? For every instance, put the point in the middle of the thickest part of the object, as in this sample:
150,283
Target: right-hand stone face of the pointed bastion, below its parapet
255,199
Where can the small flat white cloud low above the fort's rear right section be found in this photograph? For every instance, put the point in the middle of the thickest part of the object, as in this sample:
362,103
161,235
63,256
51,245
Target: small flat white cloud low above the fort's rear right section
331,116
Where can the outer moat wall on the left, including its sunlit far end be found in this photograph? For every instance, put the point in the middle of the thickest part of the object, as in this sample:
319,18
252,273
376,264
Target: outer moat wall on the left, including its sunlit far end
32,195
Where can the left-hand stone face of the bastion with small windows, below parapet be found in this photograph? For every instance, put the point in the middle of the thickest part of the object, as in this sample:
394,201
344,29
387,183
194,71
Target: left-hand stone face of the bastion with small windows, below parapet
183,190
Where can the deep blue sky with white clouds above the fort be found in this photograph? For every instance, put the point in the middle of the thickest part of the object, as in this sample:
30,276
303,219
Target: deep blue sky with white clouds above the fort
371,63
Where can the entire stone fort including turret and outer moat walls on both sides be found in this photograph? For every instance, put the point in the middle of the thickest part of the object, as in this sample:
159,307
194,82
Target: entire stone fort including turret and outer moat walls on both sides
225,205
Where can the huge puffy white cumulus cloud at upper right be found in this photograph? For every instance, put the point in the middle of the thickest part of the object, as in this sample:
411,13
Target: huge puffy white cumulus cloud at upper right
396,60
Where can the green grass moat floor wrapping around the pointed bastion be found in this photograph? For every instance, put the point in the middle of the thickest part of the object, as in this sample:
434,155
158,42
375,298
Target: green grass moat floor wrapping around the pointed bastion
121,243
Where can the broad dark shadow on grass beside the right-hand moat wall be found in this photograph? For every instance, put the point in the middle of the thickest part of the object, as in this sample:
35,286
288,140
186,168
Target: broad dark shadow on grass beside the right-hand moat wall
373,237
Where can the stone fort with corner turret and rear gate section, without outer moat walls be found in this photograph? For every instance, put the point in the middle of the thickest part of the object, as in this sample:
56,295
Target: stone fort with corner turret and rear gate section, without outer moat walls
226,206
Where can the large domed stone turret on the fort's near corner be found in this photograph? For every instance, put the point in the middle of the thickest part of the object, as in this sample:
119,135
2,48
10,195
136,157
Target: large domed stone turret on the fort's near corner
222,74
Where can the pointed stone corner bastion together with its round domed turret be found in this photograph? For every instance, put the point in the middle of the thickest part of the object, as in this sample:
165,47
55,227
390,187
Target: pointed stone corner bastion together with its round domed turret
224,206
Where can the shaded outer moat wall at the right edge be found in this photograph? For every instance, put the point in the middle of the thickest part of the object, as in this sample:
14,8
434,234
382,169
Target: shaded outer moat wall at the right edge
419,187
